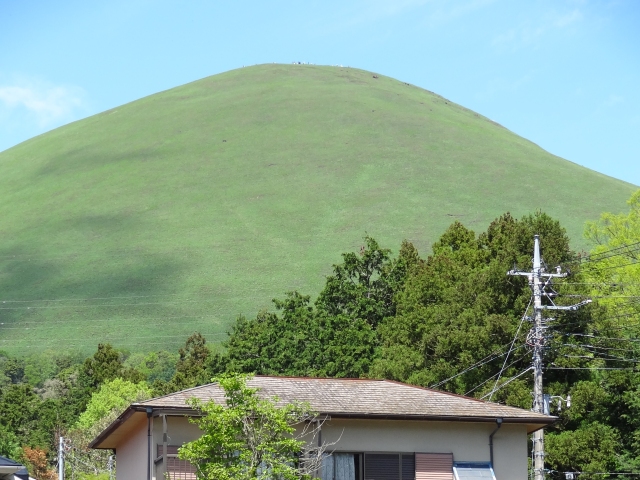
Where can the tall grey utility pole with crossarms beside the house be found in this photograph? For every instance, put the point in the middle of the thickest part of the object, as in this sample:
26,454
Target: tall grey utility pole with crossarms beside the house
539,281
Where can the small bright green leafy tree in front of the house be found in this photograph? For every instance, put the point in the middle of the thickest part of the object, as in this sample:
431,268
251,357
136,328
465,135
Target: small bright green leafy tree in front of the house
249,437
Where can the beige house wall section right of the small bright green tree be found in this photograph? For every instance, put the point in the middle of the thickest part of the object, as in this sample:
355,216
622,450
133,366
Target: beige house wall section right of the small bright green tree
467,442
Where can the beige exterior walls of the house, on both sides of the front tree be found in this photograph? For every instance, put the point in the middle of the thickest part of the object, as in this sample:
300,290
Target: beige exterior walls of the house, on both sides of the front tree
466,441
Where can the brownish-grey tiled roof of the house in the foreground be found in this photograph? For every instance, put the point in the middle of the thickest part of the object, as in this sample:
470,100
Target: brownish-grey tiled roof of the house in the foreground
358,398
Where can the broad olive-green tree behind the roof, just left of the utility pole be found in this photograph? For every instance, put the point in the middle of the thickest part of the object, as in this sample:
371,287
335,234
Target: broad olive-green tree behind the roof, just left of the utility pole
458,309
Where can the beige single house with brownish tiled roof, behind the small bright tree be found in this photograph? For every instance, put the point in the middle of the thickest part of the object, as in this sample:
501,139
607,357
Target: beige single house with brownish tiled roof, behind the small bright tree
383,430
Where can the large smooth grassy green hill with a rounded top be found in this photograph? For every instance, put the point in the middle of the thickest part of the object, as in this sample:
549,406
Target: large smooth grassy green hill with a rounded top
181,210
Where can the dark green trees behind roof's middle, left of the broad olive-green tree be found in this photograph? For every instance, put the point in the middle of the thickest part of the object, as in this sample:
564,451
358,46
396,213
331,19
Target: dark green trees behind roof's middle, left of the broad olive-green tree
337,335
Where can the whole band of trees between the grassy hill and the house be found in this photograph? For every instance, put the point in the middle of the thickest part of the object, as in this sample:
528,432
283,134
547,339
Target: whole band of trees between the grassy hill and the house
452,320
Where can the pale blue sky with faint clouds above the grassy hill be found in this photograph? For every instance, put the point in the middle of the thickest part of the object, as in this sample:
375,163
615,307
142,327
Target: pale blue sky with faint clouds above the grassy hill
564,73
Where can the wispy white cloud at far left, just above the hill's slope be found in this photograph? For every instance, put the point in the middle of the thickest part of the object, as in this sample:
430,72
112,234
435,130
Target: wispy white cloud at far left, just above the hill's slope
47,104
